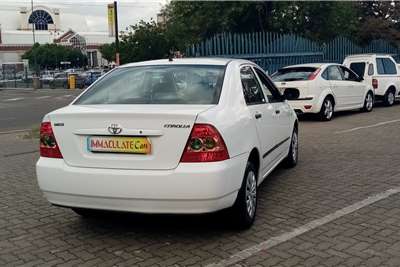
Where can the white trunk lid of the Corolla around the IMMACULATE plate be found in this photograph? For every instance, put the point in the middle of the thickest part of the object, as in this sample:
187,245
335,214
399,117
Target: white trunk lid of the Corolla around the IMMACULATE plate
167,128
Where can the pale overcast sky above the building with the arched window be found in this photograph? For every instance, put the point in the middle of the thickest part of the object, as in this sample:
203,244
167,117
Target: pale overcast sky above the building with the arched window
84,15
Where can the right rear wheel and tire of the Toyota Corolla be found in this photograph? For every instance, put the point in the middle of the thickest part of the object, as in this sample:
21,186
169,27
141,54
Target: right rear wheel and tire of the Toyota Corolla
244,210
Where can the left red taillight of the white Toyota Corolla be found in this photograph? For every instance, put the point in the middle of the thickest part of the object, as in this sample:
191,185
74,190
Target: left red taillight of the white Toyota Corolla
48,144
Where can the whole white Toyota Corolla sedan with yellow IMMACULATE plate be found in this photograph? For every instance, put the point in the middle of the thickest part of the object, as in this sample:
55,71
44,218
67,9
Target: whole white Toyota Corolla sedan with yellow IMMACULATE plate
181,136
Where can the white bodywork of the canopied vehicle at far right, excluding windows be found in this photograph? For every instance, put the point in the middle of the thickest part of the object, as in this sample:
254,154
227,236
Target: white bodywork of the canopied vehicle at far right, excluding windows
385,81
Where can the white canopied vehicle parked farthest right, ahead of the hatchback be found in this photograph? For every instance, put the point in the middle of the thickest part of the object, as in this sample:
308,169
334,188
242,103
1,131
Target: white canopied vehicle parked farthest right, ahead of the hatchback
378,71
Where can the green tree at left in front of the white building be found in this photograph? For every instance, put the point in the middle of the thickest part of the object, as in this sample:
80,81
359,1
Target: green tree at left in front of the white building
49,56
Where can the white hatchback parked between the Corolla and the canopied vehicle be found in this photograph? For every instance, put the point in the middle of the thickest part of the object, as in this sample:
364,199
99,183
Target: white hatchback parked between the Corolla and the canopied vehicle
323,89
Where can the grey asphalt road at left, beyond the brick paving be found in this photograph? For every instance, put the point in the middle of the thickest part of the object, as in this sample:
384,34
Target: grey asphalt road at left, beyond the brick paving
24,109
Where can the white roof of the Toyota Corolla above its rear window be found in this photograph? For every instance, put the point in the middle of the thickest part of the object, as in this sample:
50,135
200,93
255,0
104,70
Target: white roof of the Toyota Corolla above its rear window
188,61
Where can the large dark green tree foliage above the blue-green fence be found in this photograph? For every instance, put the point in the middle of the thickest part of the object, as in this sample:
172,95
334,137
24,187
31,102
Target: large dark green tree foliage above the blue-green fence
189,22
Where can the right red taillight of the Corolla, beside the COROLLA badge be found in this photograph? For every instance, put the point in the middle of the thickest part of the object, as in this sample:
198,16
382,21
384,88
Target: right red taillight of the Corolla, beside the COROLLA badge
205,144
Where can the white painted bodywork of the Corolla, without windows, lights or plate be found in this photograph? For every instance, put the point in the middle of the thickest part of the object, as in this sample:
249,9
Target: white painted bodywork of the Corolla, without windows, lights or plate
160,183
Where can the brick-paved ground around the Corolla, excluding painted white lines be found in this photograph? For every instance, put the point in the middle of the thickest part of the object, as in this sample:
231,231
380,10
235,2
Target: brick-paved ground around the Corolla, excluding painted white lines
335,170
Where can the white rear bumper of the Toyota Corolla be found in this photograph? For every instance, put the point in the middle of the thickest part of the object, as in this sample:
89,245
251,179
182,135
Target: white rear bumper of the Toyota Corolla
190,188
